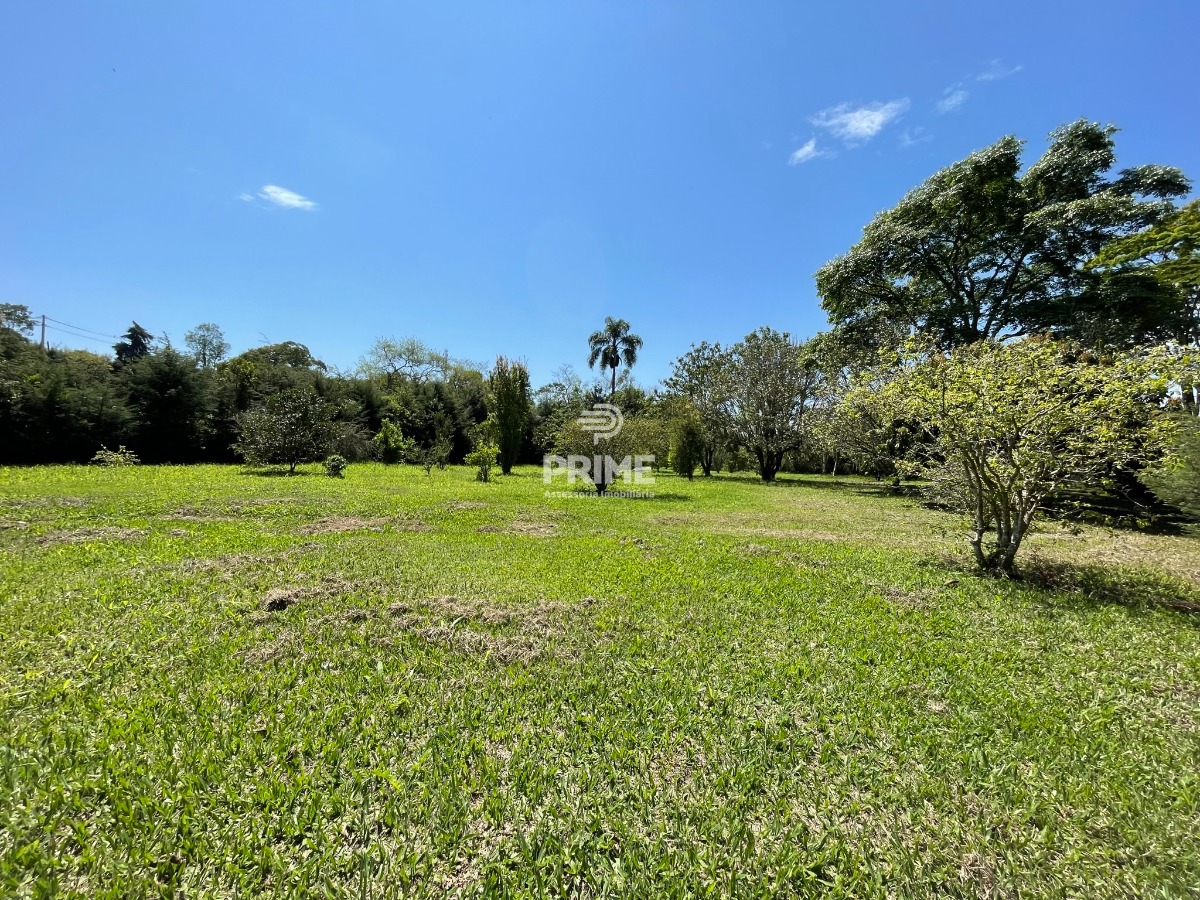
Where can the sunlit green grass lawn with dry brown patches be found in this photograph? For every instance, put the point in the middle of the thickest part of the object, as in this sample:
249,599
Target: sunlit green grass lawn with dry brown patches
223,685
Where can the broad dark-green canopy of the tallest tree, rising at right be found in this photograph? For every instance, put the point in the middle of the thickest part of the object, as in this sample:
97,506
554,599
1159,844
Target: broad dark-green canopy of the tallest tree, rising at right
983,250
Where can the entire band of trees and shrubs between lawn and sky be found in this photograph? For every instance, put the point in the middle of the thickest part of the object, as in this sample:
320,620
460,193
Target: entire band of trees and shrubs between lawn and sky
1097,266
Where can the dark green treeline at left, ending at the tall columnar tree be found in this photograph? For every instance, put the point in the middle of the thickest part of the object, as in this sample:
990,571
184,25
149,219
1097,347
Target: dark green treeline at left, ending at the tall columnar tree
183,406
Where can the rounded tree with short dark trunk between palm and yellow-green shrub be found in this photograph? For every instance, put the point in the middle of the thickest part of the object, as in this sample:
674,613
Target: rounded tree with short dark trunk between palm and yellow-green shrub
771,382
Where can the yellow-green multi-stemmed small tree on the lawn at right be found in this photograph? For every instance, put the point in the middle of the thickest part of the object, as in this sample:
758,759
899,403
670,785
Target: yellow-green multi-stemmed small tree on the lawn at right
1009,424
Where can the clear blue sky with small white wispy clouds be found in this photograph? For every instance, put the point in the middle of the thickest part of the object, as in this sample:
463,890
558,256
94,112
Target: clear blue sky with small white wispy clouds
497,178
